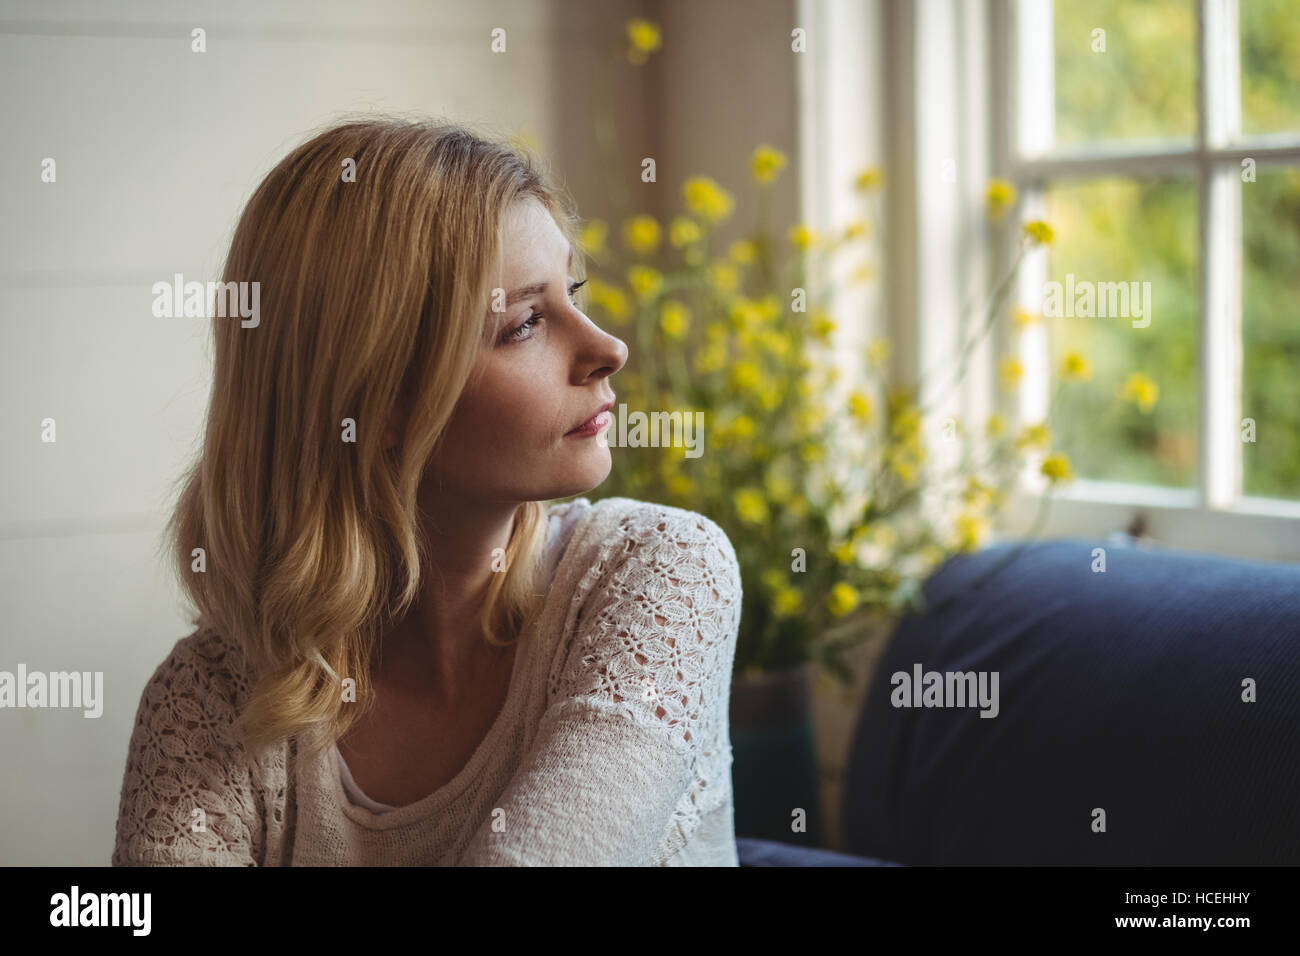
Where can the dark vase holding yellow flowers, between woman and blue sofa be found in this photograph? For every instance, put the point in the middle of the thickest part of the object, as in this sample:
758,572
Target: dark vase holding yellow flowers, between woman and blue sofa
774,769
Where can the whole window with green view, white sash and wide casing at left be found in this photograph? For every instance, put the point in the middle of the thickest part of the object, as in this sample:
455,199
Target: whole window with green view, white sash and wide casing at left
1136,153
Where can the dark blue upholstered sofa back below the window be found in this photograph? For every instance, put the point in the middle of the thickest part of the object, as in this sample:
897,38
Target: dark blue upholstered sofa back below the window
1120,691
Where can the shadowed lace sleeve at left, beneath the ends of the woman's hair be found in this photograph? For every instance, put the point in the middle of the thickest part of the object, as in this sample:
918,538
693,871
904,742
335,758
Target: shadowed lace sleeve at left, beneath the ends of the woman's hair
188,790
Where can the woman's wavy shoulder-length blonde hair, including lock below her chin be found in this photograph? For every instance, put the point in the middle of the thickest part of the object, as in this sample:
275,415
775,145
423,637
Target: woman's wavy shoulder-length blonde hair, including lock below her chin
372,299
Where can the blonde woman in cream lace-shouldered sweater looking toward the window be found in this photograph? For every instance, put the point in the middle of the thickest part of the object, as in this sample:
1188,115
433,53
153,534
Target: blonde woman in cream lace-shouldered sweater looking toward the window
402,656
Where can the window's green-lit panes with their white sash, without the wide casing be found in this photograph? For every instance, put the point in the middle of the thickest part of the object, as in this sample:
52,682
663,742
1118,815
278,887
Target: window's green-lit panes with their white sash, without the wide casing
1162,139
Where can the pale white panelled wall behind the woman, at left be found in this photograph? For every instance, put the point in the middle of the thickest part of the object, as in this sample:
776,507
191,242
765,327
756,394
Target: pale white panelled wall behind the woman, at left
157,150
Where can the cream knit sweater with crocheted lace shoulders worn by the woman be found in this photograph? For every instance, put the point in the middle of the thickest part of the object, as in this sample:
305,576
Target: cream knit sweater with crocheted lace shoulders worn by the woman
613,746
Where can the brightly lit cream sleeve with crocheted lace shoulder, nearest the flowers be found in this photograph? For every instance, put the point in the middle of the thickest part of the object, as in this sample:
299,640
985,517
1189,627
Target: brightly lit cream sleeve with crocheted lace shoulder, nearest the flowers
632,747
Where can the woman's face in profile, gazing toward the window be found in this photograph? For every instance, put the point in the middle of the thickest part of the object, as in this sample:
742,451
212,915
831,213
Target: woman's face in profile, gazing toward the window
544,373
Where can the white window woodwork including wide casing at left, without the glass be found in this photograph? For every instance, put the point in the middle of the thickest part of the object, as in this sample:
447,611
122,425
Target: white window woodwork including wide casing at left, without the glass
908,84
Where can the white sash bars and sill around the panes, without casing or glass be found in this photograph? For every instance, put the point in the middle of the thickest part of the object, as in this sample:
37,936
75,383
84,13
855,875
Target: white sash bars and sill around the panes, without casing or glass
1215,516
